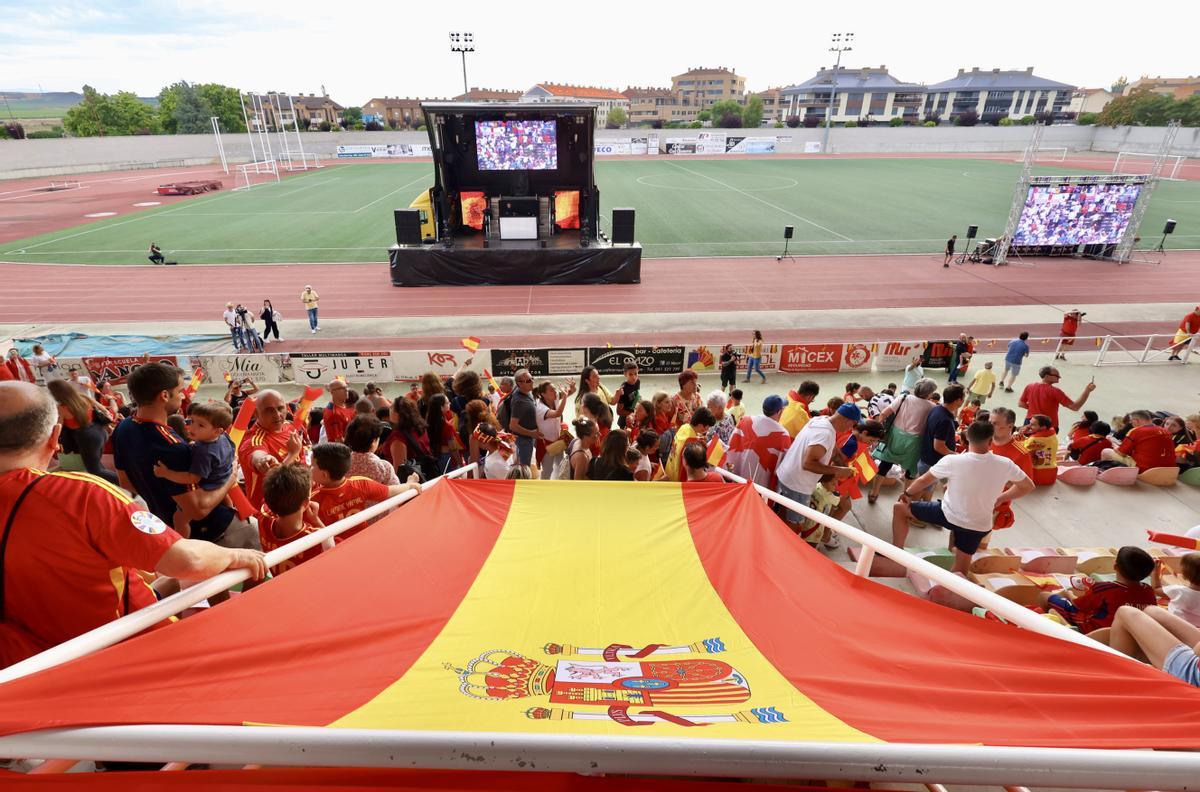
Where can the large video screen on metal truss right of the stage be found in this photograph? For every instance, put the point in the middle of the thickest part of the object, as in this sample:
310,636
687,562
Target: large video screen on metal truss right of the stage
1076,214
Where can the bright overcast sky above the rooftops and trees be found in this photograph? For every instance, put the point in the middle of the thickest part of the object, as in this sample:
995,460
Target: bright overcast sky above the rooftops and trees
363,49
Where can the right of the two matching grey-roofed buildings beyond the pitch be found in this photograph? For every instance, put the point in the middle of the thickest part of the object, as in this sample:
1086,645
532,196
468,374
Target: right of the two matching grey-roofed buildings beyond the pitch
998,94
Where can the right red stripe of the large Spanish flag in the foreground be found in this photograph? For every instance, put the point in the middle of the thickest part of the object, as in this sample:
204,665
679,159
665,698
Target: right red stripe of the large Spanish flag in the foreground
909,671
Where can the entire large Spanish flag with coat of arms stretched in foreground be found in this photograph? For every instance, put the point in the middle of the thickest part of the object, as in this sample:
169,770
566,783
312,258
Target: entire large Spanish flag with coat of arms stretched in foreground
556,608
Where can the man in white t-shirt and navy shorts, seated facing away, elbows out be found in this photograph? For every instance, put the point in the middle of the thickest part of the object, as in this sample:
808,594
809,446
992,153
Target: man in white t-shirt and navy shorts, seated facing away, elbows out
975,485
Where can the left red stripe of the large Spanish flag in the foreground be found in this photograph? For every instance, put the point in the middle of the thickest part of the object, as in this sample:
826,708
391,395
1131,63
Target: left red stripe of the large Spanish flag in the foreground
303,650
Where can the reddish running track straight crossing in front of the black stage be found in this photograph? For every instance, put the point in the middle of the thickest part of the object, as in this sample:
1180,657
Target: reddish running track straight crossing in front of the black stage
80,295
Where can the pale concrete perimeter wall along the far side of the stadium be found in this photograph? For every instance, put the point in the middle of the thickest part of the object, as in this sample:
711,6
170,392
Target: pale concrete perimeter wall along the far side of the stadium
58,157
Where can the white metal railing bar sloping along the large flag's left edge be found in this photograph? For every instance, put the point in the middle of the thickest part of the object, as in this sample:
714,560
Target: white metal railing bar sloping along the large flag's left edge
134,623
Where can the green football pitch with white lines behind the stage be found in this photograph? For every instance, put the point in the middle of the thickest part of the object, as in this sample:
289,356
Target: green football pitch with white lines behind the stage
685,208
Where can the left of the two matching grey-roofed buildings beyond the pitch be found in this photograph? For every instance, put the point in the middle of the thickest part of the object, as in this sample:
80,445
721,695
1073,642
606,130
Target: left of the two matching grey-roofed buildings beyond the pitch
859,94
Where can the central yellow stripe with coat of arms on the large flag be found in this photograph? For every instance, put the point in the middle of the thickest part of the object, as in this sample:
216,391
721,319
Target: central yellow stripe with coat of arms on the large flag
626,573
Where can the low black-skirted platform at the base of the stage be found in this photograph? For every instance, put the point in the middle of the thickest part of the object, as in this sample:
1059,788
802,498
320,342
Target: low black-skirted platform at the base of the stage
515,263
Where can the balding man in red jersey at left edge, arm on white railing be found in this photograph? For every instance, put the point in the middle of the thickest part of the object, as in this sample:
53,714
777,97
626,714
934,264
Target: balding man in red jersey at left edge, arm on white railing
74,543
